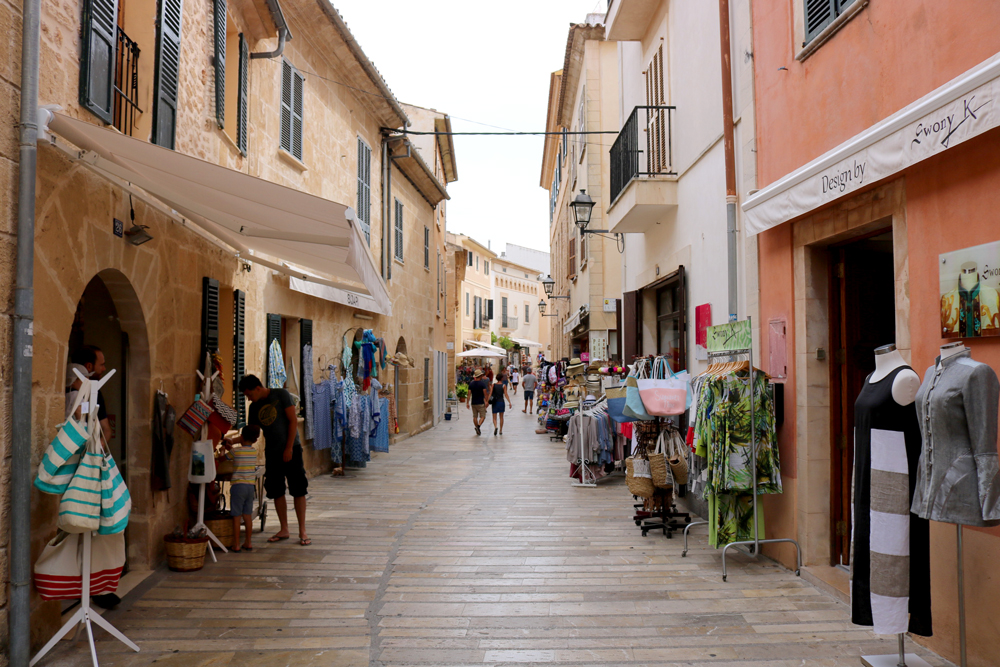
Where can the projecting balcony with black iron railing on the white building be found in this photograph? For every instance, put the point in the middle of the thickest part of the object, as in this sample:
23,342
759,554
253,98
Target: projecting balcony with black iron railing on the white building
643,179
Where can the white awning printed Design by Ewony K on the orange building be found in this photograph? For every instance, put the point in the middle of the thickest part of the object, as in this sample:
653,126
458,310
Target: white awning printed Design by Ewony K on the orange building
963,108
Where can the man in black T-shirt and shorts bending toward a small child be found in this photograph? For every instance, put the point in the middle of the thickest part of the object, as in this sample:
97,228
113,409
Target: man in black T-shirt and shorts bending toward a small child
273,410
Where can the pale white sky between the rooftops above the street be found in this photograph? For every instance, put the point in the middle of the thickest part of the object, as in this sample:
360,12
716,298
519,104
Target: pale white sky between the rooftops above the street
481,62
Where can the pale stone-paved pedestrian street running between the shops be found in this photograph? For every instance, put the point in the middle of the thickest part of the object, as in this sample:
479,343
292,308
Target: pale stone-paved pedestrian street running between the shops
454,549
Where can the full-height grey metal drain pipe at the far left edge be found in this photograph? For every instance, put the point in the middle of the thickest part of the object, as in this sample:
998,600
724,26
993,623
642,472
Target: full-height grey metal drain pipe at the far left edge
19,613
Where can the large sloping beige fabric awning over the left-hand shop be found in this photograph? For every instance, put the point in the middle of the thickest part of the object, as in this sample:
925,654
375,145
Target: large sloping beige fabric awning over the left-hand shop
315,240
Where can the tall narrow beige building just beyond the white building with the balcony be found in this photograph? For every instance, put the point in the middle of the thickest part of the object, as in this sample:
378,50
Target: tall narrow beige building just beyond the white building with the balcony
585,267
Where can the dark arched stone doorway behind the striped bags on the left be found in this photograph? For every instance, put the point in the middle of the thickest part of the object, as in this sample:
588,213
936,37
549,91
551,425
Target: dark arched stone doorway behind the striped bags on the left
109,317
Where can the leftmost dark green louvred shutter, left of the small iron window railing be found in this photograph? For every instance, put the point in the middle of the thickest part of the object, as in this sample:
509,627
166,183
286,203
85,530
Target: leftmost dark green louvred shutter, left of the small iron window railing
97,57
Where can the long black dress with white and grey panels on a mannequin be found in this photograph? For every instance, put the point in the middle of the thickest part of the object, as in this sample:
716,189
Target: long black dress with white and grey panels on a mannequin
890,547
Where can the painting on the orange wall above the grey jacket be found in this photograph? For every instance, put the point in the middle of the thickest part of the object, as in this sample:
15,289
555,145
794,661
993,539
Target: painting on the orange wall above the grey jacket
970,292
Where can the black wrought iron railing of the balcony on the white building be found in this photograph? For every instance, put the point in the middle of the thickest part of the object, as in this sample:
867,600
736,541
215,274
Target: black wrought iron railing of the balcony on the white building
644,147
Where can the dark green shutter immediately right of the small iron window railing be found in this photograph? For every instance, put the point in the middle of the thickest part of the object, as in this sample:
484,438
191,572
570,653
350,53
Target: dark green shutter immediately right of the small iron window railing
168,62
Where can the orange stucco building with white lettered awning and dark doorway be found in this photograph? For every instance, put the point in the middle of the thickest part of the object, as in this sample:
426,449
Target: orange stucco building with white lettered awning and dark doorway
878,150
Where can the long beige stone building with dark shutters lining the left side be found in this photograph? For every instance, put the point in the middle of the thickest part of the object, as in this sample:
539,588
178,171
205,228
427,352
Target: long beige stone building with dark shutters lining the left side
154,308
